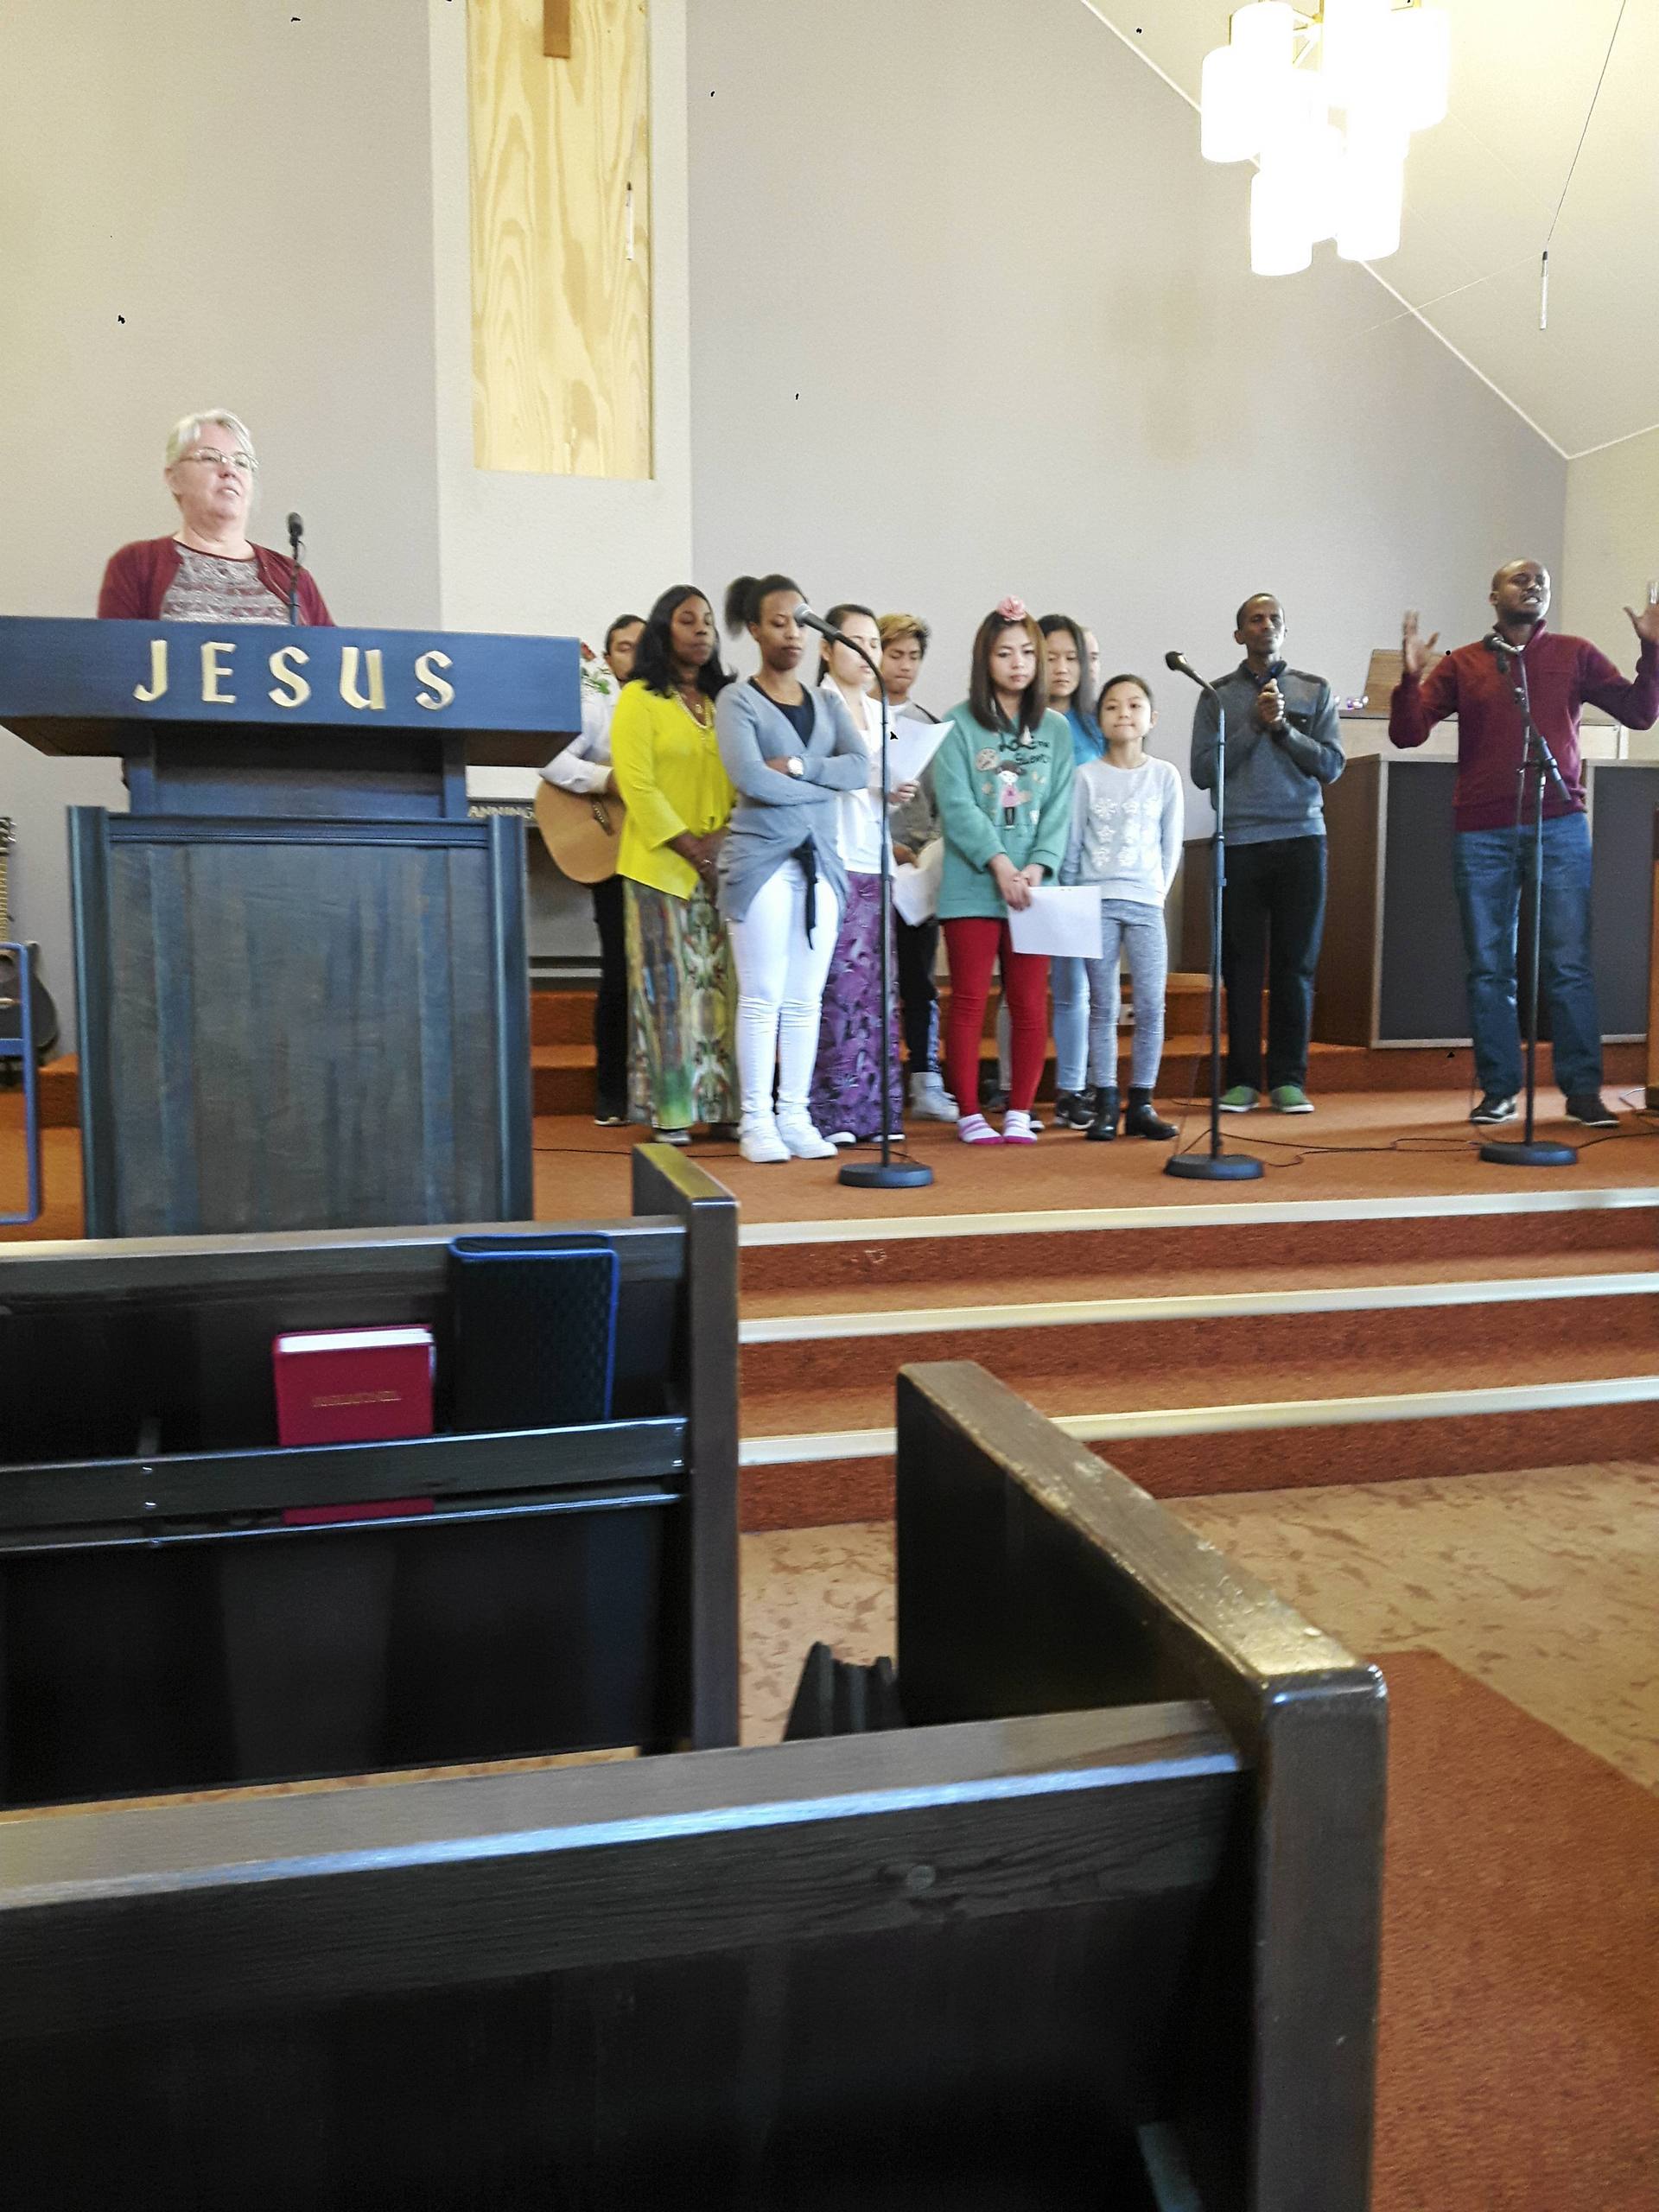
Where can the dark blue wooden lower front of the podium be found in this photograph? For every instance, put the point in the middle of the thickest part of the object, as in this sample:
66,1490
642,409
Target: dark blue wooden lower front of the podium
300,1025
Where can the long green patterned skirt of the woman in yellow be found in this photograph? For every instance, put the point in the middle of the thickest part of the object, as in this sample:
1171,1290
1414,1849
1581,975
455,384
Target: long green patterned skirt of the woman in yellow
682,1010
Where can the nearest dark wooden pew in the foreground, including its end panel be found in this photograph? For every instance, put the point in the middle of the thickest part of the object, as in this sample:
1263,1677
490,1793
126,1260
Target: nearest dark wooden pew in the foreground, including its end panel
1118,1954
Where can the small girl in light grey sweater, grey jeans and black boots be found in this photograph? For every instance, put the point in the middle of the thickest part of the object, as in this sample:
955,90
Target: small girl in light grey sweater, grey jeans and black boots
1127,839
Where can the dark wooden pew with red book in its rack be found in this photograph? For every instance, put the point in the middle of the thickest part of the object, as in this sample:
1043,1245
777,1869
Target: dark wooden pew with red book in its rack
165,1629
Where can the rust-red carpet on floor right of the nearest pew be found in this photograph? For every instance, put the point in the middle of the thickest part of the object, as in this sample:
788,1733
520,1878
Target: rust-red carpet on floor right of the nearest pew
1521,1957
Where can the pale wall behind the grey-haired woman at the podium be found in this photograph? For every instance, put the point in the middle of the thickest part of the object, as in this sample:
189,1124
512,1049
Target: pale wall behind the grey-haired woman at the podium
209,205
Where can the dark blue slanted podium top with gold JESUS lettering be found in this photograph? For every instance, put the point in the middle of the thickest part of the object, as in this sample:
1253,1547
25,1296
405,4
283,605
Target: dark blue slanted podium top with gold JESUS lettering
107,687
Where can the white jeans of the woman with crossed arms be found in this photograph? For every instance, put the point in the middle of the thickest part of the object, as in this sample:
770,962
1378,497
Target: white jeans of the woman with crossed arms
780,988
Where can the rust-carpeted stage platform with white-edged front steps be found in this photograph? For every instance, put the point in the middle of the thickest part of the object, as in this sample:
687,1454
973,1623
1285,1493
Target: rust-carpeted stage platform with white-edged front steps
1381,1304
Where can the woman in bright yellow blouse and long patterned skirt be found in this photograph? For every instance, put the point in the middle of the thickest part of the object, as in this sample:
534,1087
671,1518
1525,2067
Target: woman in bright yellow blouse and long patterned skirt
682,985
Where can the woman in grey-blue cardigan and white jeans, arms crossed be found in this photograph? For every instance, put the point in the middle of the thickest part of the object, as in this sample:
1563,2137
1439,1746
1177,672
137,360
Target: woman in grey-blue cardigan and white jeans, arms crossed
789,753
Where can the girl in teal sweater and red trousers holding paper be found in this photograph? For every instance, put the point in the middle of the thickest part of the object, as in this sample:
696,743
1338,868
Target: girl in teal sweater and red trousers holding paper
1003,789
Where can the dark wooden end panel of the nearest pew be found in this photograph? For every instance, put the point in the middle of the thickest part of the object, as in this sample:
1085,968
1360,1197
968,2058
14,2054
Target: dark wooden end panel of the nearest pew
1041,1580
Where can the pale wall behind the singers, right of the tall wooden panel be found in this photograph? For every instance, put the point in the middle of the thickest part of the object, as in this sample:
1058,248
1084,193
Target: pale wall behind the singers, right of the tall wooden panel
974,317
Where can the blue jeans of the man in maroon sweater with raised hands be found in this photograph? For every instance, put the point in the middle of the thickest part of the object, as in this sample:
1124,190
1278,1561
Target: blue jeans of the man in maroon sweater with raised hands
1490,873
